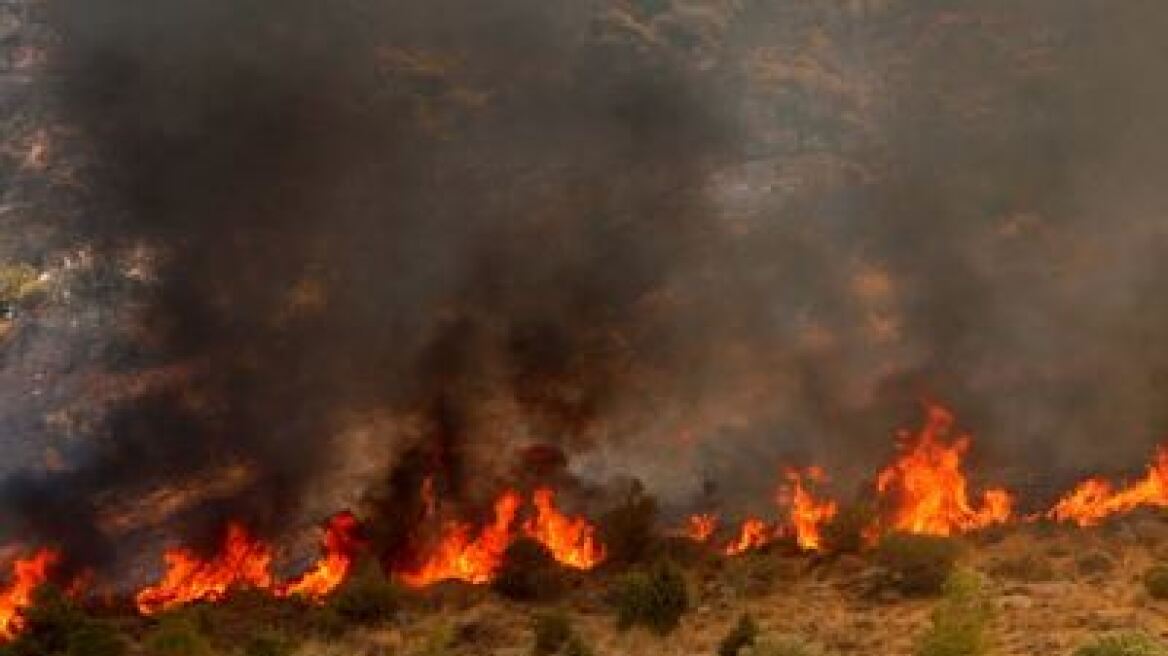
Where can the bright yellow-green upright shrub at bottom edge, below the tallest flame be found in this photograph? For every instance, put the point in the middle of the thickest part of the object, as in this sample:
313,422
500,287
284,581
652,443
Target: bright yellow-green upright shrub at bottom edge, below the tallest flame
960,623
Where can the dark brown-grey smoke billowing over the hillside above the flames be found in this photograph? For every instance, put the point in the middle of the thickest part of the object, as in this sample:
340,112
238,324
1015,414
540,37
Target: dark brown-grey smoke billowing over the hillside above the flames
687,242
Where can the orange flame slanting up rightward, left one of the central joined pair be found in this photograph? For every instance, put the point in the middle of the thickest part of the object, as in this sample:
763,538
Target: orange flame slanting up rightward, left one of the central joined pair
458,557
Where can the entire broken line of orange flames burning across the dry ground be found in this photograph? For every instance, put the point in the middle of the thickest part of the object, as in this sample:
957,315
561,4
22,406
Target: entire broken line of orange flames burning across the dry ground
923,491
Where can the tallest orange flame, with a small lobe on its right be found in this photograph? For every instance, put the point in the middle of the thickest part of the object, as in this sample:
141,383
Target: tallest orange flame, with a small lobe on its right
929,487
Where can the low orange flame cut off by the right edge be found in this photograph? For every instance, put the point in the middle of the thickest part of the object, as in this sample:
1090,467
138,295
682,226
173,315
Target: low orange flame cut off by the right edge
1095,499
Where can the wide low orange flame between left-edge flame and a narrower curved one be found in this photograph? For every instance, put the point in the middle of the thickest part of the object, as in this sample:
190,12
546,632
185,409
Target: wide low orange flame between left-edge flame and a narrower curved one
244,562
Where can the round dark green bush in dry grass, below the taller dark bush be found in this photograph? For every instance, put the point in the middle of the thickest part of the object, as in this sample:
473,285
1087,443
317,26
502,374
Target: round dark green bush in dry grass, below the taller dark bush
656,598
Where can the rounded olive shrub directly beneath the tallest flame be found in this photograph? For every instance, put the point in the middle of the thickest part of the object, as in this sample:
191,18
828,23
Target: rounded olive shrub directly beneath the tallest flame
919,564
